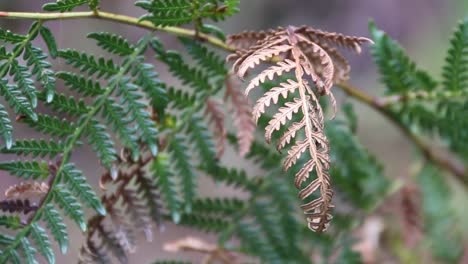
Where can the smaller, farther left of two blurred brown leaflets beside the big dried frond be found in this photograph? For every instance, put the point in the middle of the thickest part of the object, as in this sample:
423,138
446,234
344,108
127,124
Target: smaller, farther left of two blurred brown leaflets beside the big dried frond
216,119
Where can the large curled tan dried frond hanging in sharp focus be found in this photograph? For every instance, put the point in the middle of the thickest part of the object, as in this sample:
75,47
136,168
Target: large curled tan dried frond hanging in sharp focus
308,54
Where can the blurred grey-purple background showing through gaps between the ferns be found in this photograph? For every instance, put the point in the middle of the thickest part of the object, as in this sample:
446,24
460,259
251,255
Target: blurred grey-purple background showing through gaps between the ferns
421,26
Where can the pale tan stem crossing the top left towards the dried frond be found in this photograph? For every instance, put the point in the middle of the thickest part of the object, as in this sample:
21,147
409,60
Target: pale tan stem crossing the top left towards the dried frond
120,19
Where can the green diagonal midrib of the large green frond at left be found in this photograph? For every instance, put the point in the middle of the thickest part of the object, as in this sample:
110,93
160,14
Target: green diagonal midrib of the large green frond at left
70,144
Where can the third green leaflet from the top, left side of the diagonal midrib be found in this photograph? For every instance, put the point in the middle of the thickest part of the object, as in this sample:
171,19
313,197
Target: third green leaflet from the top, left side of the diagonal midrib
76,82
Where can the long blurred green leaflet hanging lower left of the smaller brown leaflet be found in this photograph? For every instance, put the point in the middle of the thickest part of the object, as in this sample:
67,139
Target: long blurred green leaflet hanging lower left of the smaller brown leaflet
183,167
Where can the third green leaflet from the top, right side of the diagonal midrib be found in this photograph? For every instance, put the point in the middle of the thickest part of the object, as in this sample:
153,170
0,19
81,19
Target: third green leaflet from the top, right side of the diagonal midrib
115,116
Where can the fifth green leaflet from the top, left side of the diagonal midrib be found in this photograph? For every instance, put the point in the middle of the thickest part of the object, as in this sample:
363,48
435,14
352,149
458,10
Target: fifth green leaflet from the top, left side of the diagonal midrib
51,125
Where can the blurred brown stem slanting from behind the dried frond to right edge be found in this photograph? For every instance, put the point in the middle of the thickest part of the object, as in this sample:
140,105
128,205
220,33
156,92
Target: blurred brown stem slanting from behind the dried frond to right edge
380,106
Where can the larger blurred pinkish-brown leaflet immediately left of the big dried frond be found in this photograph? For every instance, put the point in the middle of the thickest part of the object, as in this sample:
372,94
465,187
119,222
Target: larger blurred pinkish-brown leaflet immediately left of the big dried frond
241,111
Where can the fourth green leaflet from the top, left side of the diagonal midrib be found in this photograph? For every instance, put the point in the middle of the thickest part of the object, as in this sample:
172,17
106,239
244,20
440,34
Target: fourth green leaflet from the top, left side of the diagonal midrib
65,104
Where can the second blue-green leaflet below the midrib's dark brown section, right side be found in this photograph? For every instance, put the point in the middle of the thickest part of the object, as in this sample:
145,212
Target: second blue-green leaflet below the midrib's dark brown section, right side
69,204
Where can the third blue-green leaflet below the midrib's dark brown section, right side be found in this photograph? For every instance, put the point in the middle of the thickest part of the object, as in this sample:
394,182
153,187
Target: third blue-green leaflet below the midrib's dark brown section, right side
56,226
